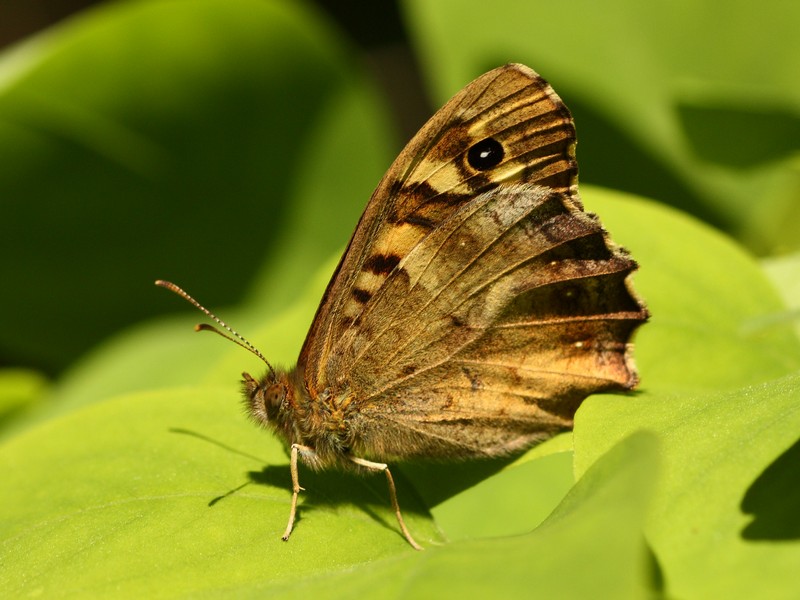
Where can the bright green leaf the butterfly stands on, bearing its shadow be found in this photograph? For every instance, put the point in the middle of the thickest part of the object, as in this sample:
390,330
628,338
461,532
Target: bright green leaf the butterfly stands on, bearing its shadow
172,492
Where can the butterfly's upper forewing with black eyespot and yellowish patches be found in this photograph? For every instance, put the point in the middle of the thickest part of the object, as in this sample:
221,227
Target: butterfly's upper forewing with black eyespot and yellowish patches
431,180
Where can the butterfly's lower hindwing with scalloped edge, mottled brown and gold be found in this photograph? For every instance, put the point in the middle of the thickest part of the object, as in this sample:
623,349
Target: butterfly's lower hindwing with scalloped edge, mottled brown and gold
496,349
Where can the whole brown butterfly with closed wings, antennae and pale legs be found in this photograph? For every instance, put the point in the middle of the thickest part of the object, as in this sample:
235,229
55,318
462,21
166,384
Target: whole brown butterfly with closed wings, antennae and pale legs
475,307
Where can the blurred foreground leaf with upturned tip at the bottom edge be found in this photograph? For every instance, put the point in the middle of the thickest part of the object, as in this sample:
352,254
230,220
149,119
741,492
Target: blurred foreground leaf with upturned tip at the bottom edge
591,546
